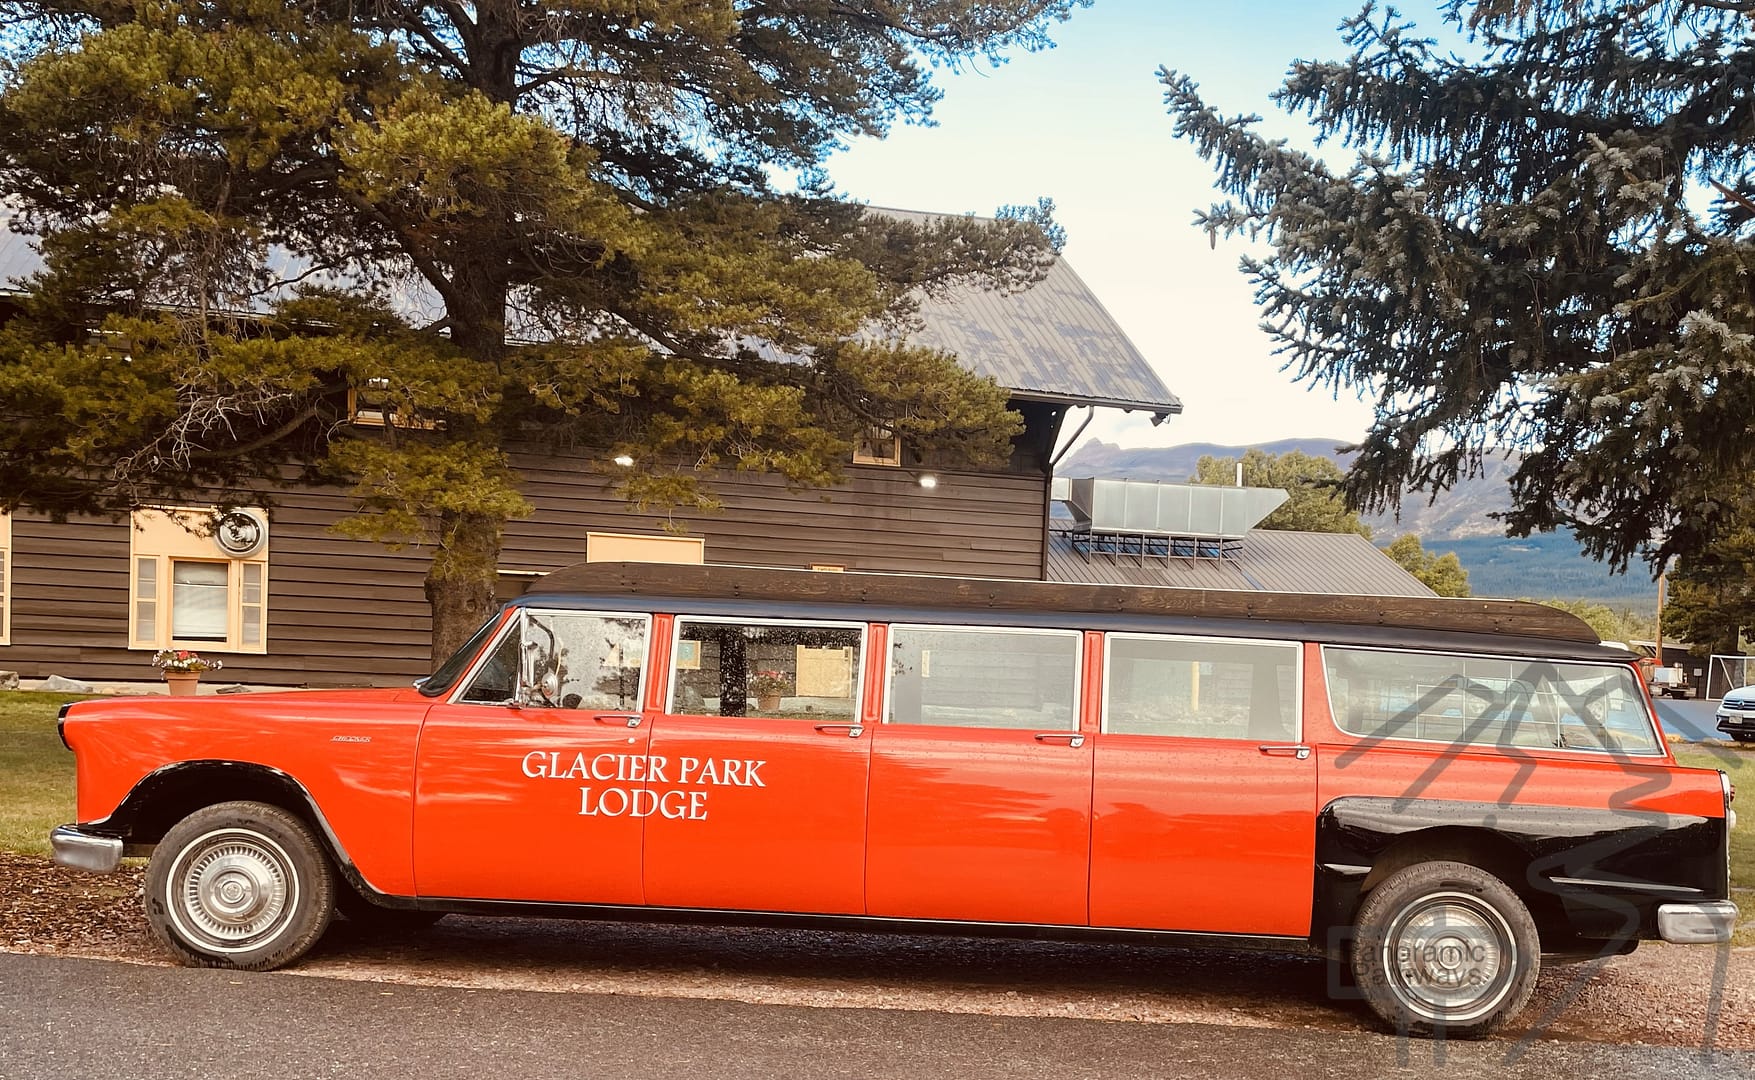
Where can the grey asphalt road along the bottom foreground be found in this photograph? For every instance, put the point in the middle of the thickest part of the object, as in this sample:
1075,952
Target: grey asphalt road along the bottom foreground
76,1019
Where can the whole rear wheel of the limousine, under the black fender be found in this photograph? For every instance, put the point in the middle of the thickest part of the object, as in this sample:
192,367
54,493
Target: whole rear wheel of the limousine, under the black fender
1445,947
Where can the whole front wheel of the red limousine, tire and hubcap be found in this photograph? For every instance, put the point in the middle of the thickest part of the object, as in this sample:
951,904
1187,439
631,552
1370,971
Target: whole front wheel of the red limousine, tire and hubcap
240,886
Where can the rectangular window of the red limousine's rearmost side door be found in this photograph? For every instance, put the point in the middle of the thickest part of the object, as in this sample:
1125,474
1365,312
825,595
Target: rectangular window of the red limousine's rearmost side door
1203,689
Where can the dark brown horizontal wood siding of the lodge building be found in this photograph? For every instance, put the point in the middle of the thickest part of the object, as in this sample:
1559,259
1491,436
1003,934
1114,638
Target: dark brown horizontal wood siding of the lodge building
355,614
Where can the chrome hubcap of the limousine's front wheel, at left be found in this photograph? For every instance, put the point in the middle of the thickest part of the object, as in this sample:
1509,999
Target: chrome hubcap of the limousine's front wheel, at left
233,891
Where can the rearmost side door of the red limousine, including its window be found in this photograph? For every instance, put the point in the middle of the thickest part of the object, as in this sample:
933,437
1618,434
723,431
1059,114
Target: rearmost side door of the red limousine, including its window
1205,800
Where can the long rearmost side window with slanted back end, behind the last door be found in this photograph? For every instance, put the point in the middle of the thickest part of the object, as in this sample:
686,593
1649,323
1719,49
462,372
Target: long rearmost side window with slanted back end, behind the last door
1489,702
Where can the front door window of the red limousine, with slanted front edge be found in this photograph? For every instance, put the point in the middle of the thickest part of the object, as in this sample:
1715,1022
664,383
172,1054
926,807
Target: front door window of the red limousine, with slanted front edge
568,661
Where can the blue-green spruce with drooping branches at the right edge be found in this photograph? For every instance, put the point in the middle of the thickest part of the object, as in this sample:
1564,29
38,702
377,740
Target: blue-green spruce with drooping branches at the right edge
1540,247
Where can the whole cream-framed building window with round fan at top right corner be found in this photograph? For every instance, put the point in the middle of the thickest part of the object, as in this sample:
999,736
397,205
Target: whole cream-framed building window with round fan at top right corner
190,591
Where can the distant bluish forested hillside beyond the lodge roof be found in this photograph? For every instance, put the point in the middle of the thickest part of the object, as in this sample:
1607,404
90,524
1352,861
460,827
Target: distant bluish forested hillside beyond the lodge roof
1459,521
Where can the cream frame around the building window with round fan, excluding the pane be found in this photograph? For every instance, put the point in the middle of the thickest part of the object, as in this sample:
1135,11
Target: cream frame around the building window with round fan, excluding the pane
148,544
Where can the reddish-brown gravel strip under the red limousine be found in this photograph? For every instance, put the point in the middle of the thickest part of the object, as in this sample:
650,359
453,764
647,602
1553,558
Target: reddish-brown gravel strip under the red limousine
1659,997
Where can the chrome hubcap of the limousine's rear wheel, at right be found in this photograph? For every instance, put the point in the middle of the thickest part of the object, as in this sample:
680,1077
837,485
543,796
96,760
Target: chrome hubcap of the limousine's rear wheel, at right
1451,956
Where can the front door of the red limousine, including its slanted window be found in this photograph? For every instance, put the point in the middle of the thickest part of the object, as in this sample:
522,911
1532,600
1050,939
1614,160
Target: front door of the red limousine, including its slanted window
529,774
